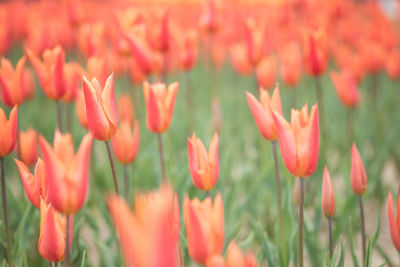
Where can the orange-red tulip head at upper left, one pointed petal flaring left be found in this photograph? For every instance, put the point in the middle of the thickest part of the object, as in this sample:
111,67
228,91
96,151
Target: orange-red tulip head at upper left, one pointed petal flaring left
50,72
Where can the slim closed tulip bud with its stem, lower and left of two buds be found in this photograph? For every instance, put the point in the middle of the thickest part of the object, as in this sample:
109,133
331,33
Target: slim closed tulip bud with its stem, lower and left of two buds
328,204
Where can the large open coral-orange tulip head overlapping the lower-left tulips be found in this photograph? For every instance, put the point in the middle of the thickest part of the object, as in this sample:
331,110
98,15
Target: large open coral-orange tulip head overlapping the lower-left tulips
67,174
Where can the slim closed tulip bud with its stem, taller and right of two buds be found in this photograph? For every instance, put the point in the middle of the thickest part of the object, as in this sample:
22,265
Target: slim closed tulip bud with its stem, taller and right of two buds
359,185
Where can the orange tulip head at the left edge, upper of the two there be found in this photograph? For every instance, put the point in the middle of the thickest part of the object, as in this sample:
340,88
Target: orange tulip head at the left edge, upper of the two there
13,88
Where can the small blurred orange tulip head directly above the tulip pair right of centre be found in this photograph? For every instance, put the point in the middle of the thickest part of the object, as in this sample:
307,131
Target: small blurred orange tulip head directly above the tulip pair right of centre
266,72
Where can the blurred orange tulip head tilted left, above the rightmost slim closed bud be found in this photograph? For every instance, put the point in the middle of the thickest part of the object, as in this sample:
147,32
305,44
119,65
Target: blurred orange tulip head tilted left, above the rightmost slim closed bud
346,87
